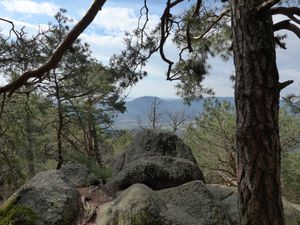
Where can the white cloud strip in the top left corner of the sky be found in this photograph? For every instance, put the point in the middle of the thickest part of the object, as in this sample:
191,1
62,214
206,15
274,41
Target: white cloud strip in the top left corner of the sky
30,7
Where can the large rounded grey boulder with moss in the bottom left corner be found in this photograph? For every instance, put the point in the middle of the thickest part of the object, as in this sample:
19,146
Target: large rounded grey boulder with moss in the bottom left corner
49,198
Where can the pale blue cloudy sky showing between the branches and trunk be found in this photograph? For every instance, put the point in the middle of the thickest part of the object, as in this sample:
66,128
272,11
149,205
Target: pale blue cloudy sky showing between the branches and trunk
105,36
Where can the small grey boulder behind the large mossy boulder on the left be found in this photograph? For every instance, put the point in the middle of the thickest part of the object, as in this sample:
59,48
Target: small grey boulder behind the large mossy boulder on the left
79,175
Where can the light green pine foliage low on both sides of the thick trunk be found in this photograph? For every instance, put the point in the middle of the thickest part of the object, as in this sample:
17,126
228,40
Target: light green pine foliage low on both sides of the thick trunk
212,139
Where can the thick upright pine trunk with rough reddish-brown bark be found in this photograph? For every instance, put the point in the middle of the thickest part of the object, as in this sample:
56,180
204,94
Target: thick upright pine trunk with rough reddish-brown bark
257,106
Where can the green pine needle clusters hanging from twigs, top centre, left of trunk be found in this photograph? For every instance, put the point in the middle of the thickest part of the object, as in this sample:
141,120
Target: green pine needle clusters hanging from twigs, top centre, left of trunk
192,63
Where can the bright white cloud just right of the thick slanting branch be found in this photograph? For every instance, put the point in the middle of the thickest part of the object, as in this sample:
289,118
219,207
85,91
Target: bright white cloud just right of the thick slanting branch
106,36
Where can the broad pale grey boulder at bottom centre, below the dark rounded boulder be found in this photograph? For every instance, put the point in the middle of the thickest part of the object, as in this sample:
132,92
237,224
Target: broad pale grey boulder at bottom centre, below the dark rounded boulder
188,204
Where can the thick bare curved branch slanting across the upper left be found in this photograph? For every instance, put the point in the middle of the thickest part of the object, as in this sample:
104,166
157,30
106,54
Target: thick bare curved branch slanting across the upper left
58,52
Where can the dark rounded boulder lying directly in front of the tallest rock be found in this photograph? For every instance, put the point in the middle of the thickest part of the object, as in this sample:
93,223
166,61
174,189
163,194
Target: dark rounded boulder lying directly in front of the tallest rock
157,172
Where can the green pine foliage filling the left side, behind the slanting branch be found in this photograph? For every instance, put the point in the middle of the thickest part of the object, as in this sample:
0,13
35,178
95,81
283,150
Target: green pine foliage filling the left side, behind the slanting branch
67,114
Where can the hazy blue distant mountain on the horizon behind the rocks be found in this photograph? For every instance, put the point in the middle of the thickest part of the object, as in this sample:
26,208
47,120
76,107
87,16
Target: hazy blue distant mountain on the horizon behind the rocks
138,110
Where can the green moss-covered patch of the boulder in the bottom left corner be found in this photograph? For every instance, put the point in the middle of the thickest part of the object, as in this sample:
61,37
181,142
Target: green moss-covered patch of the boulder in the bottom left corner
13,214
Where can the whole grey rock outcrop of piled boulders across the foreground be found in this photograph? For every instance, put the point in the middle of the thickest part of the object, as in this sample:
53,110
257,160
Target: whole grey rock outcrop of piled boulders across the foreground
160,184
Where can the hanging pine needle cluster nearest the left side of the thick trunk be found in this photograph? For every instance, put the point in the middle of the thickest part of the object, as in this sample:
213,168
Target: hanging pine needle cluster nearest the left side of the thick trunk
193,69
